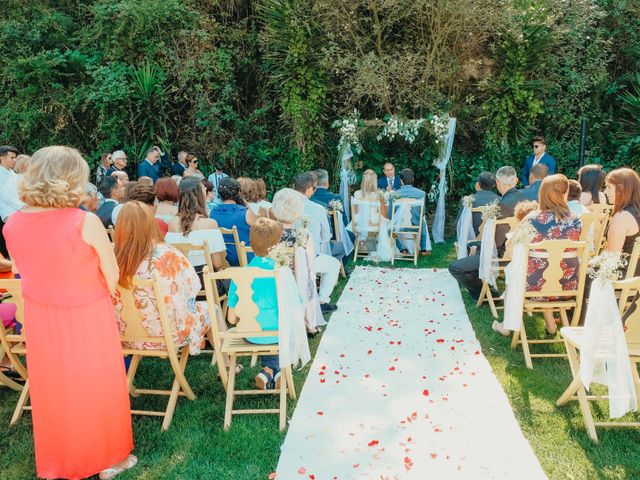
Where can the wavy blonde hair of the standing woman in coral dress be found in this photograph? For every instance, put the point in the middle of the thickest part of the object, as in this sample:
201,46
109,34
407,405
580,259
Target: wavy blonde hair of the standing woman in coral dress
55,178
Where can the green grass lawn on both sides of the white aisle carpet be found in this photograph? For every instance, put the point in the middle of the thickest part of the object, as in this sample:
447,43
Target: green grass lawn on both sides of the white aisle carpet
196,446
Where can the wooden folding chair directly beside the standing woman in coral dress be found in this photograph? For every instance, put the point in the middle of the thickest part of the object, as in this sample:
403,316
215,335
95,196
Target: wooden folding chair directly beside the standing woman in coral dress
135,333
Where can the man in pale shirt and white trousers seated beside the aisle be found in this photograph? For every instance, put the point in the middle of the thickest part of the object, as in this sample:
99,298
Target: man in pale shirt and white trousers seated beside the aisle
326,266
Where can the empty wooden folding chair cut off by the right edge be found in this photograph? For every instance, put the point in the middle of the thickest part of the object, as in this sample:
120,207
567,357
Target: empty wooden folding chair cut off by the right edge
573,338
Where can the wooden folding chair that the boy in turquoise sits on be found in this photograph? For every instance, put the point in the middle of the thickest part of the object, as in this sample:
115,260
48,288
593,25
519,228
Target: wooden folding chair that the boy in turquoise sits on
233,342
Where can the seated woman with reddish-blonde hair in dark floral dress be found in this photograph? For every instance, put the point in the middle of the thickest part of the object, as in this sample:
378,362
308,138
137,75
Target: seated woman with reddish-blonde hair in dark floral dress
552,221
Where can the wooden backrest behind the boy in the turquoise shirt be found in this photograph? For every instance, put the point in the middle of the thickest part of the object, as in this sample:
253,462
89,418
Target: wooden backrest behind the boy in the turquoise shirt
246,310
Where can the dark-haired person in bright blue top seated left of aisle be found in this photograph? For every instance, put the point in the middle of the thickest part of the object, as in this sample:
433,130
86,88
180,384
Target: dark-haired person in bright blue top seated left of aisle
233,212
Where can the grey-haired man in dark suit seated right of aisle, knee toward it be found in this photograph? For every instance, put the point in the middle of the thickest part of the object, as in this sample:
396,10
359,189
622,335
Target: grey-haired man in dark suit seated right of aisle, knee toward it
466,270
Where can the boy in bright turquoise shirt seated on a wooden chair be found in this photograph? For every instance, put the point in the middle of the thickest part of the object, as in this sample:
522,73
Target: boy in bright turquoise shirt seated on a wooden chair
265,233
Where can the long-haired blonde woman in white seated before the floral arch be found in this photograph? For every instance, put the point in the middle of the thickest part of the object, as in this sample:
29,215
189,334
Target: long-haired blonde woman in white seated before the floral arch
371,219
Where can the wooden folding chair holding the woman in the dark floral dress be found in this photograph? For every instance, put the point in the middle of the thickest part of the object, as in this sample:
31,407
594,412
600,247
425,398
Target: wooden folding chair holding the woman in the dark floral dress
559,300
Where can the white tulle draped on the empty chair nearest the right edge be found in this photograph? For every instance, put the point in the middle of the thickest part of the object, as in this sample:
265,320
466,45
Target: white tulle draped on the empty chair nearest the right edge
604,357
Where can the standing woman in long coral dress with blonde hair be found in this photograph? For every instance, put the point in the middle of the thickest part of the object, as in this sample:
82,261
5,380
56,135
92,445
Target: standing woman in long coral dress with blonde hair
79,395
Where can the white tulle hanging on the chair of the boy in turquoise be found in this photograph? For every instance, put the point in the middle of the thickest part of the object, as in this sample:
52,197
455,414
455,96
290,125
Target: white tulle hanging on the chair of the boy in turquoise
292,336
